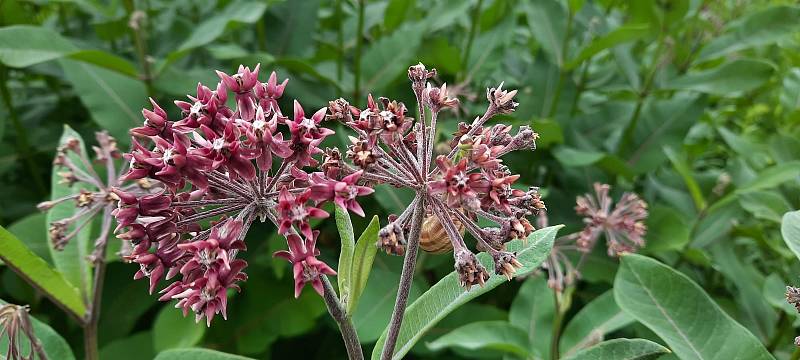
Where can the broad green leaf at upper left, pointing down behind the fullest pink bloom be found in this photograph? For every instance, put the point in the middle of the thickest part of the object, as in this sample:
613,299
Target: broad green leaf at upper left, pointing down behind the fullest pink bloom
115,101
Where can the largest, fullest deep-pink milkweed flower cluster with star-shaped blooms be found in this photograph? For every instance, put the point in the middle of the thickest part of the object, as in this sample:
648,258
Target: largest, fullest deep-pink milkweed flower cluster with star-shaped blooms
215,166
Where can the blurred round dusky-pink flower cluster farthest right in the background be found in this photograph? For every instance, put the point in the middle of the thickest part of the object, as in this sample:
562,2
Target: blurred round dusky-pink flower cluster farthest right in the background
622,224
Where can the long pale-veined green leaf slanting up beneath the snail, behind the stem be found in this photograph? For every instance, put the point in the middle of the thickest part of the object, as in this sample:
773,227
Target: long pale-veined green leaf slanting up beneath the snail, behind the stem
446,295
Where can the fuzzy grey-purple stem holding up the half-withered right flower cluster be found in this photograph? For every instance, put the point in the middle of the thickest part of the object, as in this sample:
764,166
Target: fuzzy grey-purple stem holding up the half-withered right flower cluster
406,278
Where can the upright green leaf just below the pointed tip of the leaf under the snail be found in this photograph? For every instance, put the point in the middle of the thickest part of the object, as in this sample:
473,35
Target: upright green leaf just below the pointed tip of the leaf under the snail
532,311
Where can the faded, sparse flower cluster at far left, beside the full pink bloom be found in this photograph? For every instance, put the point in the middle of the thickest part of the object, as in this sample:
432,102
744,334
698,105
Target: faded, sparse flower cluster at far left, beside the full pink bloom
94,194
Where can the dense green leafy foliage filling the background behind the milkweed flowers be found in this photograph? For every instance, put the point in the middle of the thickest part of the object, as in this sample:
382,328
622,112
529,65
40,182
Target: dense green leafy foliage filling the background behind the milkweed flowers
693,104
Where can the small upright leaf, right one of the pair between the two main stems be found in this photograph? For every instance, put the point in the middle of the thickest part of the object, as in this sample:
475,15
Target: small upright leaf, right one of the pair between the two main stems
363,257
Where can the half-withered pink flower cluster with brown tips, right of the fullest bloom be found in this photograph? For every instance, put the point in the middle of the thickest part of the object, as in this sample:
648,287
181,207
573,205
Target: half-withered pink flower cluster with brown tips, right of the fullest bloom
454,189
